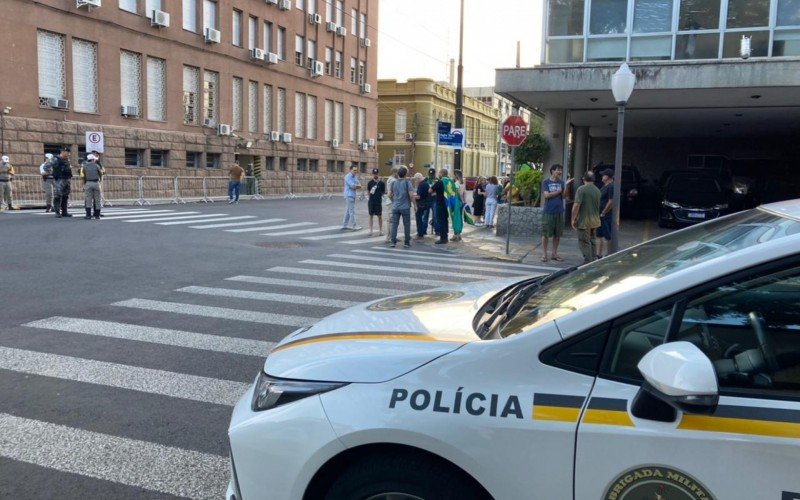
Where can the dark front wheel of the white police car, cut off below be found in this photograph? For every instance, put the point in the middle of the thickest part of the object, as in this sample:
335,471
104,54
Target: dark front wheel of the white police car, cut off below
402,476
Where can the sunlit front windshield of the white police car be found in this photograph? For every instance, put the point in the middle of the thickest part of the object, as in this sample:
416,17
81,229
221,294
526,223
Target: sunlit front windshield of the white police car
642,264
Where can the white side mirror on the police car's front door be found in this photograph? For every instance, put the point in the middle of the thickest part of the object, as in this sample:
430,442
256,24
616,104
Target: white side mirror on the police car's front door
680,375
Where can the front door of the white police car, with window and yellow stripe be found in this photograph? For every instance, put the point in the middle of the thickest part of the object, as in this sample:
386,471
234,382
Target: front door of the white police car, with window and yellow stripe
748,446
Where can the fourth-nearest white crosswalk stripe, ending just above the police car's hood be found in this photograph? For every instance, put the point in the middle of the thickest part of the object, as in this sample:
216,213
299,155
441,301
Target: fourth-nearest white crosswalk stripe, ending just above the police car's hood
217,312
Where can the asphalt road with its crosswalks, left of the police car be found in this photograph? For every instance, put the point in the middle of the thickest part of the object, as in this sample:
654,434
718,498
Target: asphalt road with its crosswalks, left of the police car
125,342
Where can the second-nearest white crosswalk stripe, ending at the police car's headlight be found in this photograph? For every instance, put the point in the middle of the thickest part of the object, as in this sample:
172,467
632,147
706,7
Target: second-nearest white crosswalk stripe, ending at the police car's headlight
176,385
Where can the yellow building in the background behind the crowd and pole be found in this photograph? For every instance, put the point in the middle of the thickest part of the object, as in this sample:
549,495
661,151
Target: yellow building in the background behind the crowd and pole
407,117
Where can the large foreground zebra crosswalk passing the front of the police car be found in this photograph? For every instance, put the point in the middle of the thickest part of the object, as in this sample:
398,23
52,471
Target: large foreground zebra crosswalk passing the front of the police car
203,335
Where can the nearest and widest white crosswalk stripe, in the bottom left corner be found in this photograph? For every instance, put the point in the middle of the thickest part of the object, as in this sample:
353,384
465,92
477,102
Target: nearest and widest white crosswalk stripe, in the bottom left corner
154,467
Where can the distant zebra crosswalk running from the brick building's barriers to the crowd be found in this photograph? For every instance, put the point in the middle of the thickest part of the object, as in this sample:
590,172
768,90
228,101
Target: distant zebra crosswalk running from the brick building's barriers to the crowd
232,224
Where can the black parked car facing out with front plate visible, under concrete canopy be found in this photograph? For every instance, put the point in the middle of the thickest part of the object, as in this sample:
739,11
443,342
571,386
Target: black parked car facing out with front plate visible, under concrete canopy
691,196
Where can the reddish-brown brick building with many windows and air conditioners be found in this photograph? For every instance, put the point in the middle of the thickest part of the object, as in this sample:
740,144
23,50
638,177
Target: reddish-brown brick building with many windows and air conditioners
182,87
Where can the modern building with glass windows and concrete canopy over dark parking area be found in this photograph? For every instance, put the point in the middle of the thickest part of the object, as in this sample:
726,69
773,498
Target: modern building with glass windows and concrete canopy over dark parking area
699,96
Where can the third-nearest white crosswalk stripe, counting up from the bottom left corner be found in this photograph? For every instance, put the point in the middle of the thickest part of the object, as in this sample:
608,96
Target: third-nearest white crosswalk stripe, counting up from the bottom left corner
162,336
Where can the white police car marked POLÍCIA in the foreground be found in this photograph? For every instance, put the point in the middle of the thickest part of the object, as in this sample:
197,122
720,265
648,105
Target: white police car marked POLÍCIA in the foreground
670,370
